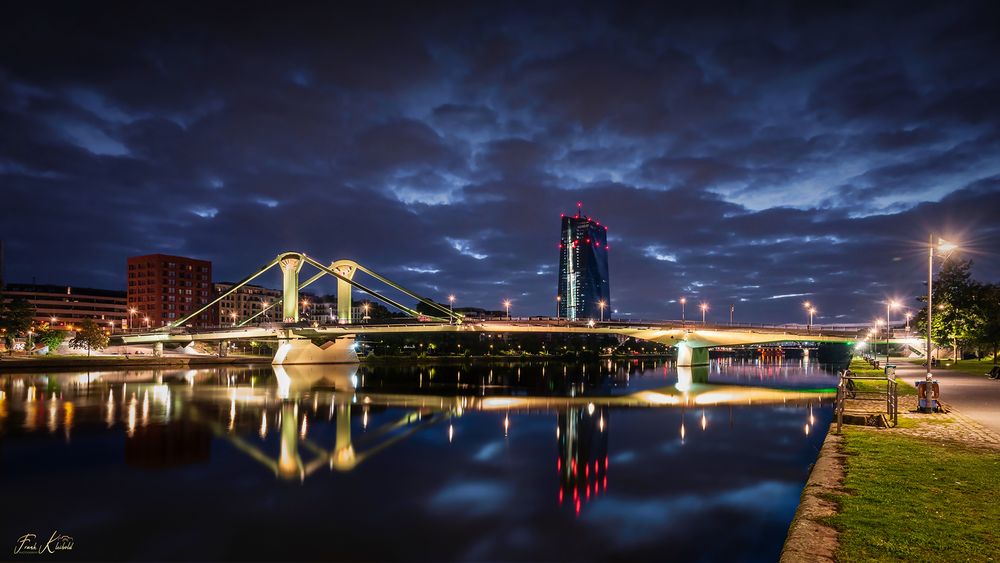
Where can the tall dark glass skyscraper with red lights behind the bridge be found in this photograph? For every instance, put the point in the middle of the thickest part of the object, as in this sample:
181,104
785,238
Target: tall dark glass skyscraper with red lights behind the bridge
584,283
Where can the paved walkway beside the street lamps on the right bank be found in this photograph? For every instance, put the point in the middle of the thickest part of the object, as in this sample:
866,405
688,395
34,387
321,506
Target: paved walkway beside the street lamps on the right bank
973,395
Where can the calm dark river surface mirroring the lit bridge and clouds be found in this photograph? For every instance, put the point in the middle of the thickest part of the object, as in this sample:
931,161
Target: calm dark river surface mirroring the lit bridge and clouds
492,461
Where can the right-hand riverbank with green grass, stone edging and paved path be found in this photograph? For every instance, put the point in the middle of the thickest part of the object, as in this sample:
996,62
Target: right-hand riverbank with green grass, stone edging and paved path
925,490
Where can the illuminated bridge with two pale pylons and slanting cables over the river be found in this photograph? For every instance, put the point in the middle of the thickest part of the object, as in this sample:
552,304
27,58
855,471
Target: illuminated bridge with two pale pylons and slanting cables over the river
296,340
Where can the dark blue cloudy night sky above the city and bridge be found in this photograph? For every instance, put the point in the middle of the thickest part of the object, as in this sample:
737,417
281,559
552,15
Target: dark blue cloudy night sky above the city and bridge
758,156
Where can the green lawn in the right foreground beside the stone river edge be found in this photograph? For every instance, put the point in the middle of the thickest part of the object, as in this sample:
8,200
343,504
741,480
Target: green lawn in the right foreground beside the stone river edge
913,500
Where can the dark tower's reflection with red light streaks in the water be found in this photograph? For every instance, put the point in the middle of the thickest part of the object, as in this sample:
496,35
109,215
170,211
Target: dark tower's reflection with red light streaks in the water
582,465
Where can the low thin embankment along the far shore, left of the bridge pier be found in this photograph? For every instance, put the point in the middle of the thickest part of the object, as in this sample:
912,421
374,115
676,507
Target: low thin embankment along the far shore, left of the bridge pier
119,362
